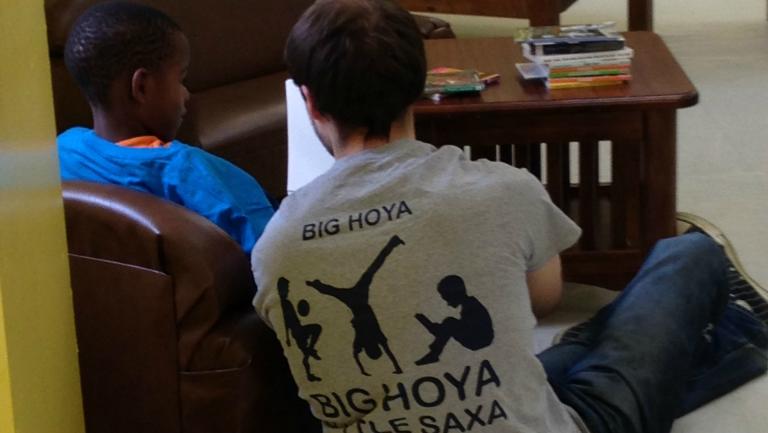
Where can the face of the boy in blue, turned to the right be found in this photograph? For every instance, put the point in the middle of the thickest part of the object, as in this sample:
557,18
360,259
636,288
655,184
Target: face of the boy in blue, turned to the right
167,96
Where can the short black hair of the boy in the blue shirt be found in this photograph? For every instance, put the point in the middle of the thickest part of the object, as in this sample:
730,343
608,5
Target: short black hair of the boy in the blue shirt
113,38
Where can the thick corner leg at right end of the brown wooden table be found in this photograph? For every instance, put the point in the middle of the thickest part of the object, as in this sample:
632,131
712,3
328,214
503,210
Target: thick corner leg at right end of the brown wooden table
659,199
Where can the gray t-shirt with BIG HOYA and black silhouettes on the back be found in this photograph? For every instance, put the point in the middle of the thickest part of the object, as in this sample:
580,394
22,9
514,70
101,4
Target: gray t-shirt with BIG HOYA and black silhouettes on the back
396,283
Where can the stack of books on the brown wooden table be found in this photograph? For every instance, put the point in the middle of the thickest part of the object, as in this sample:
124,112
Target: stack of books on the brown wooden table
576,56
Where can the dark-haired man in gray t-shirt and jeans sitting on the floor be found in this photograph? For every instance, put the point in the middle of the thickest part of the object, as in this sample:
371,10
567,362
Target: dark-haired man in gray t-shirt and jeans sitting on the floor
487,236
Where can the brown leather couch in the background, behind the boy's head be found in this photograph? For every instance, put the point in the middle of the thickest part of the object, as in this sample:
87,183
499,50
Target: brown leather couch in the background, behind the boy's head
236,77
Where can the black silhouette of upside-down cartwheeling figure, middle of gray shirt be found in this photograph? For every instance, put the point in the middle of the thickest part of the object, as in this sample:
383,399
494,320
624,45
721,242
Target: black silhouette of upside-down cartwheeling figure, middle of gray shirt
368,334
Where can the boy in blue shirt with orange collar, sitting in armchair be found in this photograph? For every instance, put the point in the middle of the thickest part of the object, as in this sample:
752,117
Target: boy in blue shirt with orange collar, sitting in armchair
130,61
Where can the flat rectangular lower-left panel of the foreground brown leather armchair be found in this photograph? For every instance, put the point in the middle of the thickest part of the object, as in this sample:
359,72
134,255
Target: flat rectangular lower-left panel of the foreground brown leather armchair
125,323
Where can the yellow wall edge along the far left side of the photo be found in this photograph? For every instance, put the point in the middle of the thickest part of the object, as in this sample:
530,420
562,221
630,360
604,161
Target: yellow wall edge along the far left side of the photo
39,379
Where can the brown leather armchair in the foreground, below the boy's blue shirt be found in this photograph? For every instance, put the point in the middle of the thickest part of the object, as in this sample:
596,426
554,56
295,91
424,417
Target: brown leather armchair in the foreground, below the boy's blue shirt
168,340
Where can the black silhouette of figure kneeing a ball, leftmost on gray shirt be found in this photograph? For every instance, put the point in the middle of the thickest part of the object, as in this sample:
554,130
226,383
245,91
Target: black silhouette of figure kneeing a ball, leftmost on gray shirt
305,335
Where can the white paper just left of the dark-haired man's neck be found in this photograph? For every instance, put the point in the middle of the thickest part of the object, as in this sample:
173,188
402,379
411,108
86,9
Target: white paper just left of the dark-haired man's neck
307,158
